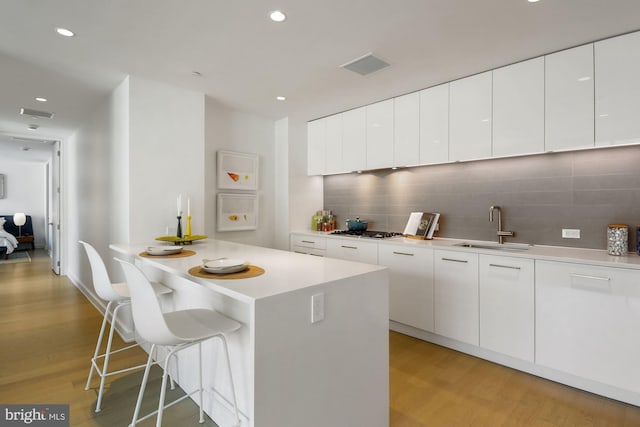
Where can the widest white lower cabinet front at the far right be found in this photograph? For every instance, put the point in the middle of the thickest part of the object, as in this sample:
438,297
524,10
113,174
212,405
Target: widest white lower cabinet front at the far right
588,322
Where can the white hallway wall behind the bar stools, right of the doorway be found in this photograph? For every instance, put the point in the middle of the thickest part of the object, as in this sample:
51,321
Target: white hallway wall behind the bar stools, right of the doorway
91,174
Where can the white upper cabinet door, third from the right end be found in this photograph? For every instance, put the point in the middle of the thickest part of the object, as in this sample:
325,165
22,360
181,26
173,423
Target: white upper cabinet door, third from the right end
518,108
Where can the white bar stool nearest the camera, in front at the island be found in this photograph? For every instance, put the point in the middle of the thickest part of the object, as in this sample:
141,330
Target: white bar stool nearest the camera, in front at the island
177,330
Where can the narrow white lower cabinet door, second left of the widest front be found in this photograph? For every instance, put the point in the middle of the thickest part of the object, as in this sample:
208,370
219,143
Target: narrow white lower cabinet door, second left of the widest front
456,295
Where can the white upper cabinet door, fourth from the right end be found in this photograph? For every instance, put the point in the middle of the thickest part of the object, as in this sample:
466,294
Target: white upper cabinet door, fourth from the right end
470,117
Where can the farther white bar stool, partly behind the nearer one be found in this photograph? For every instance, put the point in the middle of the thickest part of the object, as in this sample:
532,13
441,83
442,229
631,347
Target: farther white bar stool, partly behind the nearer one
116,294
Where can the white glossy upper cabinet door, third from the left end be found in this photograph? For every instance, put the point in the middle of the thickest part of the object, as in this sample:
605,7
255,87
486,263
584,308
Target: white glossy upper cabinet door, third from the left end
354,140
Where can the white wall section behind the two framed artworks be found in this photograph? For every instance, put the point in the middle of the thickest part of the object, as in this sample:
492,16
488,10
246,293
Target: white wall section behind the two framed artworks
229,129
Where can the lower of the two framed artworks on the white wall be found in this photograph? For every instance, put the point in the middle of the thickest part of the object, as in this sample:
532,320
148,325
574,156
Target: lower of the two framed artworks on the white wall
237,212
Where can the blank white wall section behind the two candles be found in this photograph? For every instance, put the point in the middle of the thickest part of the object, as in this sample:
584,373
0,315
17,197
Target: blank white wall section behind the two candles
165,157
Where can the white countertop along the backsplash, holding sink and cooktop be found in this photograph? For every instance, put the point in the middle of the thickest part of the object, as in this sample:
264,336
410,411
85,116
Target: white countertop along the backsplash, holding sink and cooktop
542,252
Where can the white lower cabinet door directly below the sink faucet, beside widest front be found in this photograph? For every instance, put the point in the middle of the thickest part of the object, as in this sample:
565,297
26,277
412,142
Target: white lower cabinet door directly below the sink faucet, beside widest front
507,305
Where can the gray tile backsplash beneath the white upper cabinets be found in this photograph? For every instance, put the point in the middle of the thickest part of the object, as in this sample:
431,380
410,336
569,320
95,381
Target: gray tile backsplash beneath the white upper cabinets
539,195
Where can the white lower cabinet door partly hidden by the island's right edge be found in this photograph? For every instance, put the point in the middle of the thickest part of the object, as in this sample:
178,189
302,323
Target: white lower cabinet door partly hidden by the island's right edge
410,284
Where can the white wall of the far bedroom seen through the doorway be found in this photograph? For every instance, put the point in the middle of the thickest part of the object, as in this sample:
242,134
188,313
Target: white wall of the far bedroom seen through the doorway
25,191
